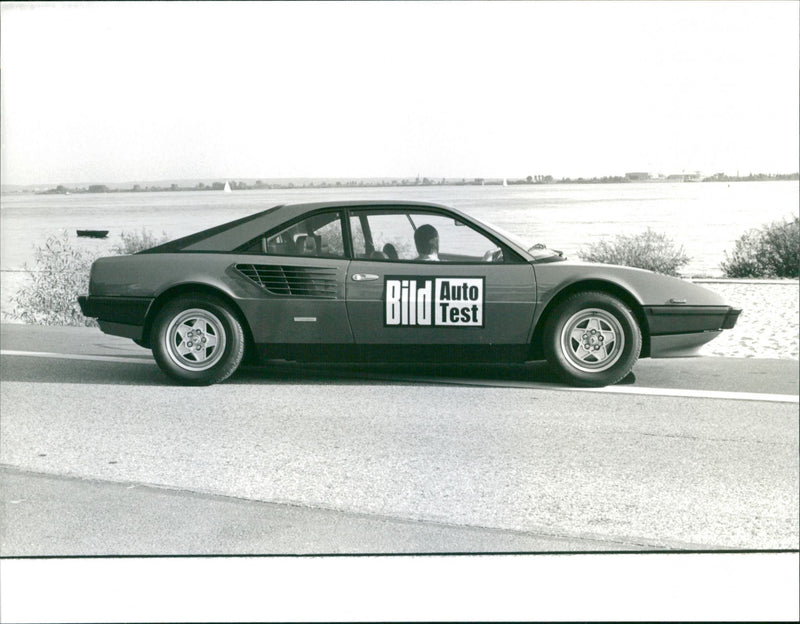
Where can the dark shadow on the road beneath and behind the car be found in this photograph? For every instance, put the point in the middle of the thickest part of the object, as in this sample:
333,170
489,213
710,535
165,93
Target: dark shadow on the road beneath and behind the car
144,373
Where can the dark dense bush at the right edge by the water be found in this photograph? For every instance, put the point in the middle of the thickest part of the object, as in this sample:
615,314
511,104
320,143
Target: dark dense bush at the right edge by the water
771,251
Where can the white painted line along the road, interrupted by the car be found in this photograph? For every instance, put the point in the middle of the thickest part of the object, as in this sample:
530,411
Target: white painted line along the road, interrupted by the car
636,390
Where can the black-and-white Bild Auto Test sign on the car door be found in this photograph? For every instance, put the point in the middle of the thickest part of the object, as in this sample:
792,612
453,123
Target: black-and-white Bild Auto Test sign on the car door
439,301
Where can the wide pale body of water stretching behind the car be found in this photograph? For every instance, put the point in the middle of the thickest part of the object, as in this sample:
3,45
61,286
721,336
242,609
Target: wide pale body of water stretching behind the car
705,218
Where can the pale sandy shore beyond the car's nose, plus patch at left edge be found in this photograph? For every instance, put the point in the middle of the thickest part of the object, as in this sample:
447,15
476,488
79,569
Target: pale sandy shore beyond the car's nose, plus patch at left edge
769,326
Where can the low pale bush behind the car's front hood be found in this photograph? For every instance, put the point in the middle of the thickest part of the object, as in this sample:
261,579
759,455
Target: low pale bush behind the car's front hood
646,250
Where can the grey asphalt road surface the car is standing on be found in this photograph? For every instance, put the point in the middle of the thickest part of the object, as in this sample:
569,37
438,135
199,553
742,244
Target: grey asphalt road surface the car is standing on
100,454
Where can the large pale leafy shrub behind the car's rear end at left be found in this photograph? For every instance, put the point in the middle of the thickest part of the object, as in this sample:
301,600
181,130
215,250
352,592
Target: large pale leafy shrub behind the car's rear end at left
50,296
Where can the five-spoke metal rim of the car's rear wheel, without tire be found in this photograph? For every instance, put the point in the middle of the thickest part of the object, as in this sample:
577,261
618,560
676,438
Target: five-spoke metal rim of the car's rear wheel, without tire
195,340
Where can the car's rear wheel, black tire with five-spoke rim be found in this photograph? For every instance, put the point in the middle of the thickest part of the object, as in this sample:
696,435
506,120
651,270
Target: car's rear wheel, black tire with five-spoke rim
197,340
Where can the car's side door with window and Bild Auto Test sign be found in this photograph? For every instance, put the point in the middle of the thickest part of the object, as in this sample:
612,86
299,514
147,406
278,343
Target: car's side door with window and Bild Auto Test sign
472,291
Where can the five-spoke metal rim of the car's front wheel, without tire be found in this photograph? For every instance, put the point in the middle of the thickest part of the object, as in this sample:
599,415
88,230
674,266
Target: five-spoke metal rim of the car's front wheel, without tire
592,340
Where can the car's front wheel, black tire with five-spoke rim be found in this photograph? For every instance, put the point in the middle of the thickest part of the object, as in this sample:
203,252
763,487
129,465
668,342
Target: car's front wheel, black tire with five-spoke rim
592,339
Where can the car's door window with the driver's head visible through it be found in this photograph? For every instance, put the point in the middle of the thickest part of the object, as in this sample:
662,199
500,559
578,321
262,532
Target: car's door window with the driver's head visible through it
420,237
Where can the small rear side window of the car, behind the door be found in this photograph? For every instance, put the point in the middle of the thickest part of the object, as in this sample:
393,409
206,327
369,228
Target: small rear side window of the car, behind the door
319,235
